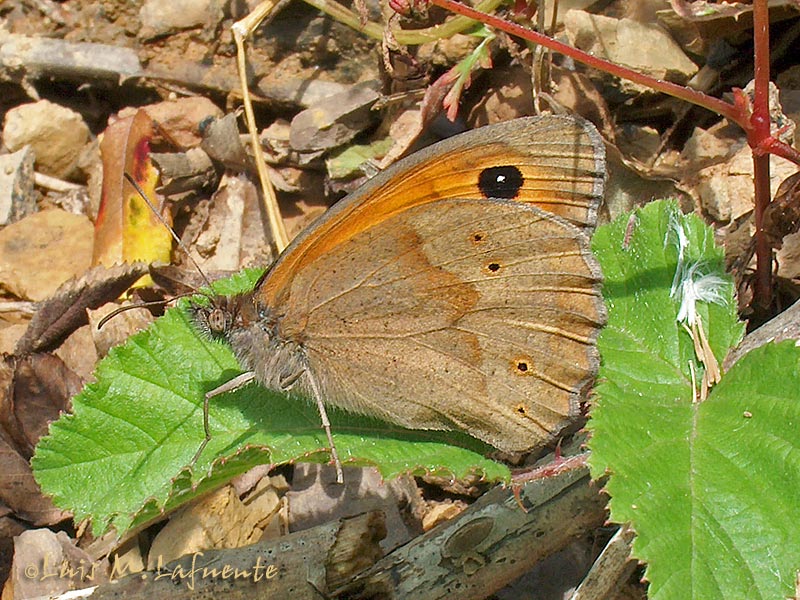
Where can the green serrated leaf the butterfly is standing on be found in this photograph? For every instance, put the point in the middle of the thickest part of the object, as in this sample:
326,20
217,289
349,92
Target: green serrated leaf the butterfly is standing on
121,458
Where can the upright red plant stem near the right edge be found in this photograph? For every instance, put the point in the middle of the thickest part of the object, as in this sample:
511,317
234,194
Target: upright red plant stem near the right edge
760,130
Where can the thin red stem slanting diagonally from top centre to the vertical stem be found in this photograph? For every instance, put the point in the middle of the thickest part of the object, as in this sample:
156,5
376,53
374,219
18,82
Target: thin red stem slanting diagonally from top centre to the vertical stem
678,91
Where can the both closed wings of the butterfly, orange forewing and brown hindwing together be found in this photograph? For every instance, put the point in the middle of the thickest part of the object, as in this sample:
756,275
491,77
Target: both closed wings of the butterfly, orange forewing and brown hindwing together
421,300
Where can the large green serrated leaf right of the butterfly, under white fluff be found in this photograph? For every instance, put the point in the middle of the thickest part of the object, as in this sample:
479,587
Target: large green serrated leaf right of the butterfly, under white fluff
710,487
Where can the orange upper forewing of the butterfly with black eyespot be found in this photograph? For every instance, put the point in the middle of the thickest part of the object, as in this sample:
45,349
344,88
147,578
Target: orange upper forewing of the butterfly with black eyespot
556,163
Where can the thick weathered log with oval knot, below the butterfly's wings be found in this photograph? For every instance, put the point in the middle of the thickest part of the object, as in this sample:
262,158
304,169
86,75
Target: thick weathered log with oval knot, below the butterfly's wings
490,544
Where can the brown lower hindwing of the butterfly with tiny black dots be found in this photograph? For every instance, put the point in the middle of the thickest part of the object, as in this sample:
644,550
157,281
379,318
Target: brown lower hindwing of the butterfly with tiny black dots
478,315
